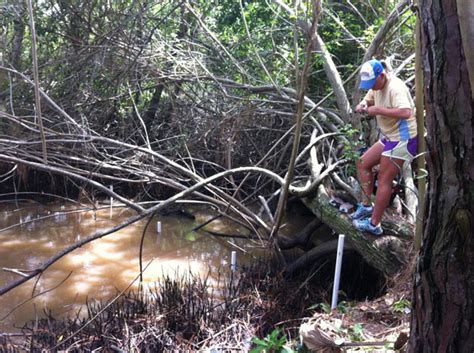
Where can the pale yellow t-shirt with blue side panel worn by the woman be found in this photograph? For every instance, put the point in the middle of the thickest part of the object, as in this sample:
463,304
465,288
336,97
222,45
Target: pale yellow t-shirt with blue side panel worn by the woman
395,94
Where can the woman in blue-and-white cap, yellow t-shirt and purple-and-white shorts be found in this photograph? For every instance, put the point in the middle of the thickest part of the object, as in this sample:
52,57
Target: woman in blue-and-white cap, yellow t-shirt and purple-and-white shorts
389,100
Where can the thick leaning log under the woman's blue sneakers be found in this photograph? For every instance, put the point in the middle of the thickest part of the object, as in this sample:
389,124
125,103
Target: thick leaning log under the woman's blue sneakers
384,252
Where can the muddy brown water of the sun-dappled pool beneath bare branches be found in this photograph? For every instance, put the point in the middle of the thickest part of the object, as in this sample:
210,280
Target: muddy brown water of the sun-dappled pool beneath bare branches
101,269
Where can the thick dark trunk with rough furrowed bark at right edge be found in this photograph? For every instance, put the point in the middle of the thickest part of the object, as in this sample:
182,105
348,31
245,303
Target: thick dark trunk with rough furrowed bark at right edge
443,304
